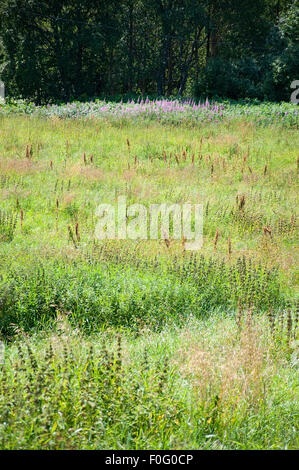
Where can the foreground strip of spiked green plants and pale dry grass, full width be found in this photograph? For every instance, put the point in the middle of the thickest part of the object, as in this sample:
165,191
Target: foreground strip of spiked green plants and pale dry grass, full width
151,392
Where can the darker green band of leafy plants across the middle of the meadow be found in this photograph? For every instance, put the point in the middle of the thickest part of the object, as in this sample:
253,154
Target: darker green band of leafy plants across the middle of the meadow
121,295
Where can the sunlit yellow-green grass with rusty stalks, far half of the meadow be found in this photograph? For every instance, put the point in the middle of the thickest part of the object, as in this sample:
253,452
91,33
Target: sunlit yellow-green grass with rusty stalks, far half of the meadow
219,162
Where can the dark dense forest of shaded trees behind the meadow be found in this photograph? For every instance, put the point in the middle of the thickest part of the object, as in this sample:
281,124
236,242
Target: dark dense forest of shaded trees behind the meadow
61,50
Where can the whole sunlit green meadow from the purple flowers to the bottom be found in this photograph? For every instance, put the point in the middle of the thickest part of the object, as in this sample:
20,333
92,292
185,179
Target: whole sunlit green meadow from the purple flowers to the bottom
141,344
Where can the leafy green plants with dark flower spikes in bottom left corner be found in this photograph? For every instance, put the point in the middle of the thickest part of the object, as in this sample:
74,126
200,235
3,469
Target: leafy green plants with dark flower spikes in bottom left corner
96,402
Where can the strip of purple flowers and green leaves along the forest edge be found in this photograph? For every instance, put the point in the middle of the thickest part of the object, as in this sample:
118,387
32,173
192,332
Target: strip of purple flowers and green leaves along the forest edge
163,110
